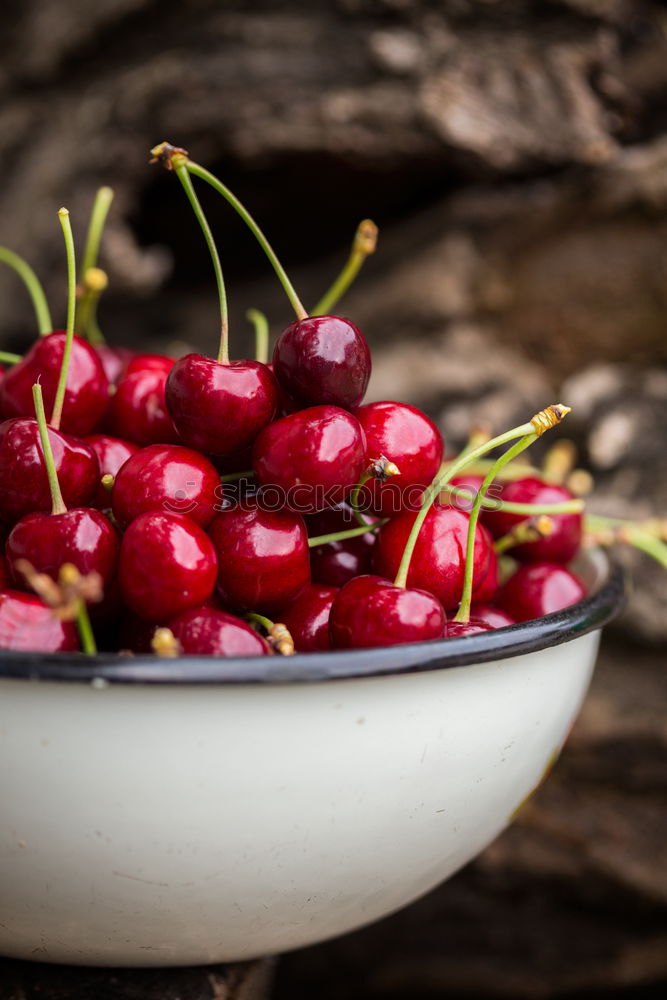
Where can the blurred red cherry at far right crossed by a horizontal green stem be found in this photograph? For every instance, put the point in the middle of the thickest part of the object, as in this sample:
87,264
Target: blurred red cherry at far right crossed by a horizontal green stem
561,545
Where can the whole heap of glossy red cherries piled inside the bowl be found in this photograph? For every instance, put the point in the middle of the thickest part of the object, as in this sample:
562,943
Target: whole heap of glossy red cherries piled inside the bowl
193,506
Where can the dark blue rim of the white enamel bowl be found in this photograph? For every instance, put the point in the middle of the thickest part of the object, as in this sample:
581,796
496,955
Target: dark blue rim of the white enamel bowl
588,615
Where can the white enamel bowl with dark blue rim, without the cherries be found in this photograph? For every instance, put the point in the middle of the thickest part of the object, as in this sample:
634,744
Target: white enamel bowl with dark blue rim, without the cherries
157,813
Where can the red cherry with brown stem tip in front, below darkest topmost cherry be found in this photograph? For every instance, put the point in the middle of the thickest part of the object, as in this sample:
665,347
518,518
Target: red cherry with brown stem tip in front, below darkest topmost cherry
411,441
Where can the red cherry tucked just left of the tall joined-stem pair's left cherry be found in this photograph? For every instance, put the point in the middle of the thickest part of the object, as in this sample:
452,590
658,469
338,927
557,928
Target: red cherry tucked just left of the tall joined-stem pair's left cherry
138,411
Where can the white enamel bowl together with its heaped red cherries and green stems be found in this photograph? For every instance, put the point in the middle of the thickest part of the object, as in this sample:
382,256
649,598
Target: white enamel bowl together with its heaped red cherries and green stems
272,662
